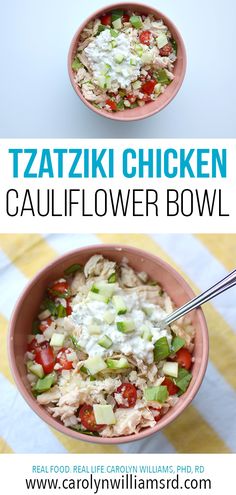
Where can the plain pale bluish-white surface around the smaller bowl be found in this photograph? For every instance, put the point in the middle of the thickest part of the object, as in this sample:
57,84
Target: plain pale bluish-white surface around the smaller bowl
37,100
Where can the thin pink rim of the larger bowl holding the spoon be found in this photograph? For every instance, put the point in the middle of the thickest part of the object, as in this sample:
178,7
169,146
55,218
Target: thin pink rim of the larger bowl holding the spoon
52,421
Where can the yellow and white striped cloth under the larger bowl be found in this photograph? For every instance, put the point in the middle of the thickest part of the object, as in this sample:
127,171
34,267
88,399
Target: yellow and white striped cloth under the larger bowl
208,425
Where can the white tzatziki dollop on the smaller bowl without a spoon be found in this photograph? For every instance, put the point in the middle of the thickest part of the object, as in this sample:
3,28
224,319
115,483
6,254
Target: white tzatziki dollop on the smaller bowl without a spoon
103,57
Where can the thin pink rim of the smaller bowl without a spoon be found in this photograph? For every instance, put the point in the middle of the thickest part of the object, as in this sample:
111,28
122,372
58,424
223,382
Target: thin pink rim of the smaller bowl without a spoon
120,116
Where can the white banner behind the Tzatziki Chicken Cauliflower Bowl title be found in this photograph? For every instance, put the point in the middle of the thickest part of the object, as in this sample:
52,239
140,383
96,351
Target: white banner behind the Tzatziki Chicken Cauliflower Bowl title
147,223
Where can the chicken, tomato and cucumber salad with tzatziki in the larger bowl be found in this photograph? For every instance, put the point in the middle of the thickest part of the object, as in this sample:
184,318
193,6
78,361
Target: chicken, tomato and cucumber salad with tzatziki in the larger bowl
97,358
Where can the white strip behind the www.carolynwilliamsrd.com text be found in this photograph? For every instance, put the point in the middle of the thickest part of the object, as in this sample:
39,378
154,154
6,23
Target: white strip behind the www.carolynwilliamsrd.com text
220,470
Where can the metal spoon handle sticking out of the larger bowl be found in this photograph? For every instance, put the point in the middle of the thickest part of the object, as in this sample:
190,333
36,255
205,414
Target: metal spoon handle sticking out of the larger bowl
221,286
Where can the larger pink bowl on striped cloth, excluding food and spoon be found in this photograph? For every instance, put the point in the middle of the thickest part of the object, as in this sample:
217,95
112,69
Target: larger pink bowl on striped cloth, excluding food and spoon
29,302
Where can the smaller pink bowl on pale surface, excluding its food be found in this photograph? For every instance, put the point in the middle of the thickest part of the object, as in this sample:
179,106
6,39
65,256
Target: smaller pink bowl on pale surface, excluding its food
163,100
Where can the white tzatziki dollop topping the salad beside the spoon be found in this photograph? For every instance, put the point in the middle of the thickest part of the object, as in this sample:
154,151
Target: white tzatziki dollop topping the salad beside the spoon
89,312
